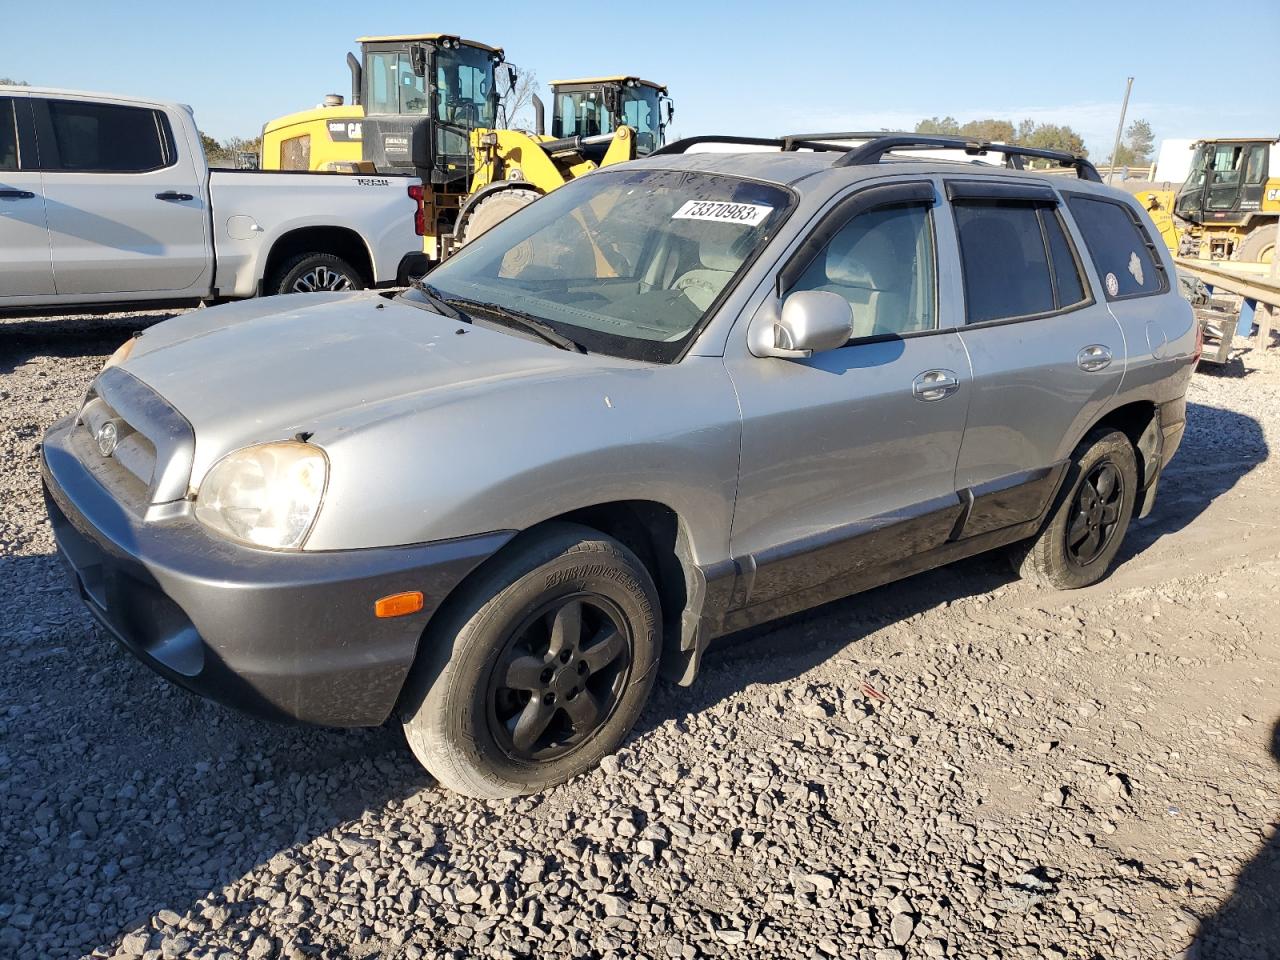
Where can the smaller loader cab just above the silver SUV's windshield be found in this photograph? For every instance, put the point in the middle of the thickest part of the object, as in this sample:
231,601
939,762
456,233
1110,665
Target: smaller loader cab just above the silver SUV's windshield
600,106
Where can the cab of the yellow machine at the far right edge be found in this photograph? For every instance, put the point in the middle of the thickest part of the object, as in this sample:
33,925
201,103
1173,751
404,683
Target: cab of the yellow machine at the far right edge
1227,181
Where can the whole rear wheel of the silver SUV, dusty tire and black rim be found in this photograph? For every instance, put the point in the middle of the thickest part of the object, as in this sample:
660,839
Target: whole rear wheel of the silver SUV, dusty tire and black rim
1089,505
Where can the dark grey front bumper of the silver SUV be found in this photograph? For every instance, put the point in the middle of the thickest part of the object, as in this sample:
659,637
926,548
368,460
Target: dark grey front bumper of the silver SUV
282,636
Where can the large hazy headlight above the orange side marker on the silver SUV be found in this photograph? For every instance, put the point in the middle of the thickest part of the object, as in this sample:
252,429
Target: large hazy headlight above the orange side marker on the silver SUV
268,496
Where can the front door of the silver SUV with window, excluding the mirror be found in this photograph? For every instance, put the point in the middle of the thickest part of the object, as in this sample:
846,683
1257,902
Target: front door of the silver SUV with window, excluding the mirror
849,456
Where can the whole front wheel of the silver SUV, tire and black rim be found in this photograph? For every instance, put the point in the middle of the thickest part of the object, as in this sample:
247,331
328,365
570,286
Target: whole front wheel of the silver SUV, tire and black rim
516,625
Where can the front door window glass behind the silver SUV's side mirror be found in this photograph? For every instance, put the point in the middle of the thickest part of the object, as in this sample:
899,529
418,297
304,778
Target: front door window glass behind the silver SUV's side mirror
883,263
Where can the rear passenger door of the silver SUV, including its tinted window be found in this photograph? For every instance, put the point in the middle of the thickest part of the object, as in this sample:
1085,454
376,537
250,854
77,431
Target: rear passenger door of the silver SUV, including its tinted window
1046,353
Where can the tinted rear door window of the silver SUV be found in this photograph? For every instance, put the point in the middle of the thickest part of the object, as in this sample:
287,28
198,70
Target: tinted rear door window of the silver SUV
1017,260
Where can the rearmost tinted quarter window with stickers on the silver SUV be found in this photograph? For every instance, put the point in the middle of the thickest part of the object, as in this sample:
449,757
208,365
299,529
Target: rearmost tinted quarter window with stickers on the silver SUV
1121,248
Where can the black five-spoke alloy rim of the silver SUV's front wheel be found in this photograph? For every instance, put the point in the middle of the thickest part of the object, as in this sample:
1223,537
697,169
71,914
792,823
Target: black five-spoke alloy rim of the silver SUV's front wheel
559,678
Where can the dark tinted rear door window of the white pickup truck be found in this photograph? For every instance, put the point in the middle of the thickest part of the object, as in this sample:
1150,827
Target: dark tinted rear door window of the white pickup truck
109,138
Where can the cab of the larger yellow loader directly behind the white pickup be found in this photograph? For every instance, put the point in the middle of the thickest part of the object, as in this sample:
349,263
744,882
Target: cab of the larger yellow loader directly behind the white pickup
423,95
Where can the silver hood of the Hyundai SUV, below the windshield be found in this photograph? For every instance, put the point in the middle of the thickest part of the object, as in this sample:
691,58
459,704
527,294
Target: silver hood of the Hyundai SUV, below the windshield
266,371
